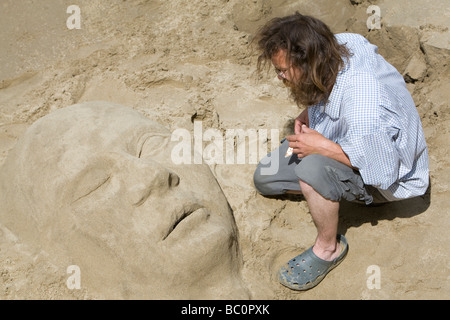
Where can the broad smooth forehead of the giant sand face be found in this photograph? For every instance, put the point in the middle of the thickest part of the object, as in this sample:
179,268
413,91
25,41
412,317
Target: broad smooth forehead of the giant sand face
74,132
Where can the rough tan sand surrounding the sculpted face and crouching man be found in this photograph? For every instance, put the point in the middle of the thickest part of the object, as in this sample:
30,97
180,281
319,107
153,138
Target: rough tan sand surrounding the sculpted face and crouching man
183,61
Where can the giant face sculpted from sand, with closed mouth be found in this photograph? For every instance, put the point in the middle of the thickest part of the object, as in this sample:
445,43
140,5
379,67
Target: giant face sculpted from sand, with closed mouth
93,185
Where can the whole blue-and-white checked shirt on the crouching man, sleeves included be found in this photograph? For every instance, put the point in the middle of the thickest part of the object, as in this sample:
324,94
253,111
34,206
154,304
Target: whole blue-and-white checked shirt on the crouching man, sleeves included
372,116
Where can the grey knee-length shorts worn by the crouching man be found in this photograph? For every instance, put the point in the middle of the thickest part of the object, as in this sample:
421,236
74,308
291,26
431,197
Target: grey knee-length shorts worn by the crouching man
277,174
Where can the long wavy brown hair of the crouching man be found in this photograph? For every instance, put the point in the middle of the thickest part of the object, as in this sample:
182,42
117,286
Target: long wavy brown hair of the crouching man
311,47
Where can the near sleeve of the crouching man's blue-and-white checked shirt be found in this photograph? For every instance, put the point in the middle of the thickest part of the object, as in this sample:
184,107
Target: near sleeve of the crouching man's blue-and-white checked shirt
371,132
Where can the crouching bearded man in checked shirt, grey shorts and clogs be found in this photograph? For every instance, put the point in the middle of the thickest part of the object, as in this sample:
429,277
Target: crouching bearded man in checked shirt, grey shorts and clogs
360,137
